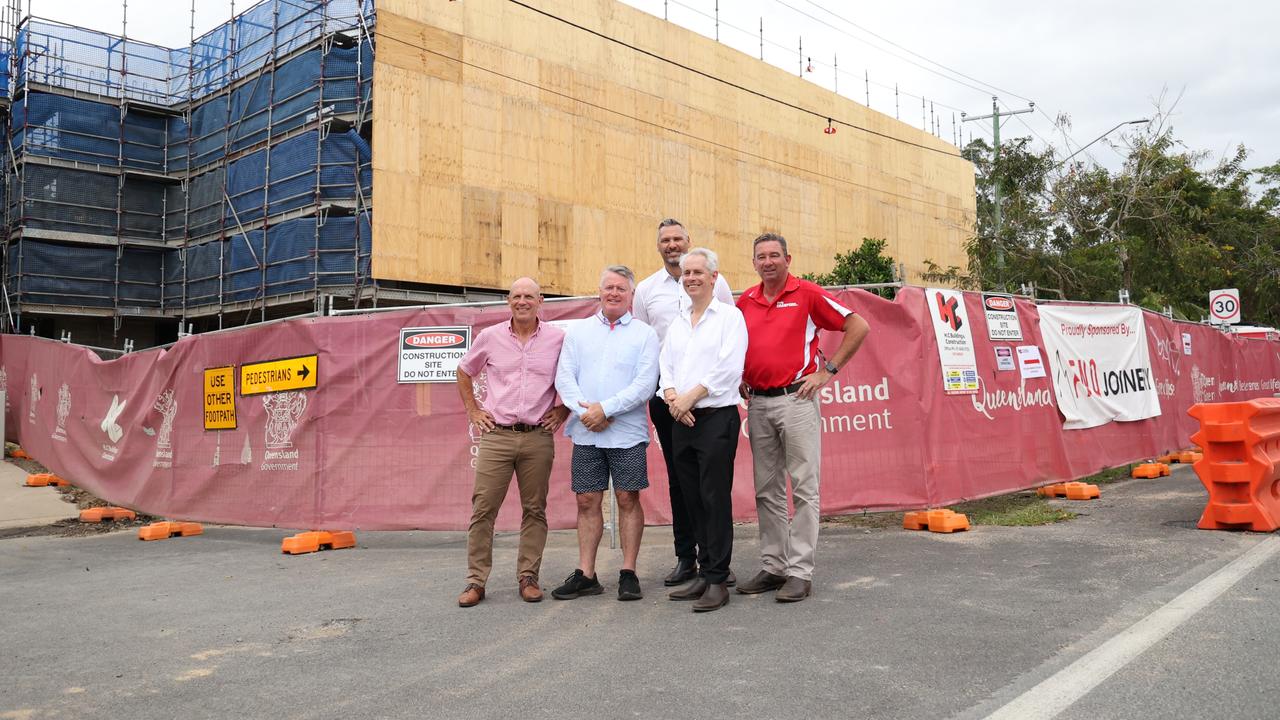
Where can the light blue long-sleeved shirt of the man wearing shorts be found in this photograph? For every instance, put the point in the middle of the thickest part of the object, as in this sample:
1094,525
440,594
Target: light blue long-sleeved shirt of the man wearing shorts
615,364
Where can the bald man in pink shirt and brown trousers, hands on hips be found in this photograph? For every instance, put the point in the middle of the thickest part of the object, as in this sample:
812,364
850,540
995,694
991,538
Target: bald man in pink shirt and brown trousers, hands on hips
519,420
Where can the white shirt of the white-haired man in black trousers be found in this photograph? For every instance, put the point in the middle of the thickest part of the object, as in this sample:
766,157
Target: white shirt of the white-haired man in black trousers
710,354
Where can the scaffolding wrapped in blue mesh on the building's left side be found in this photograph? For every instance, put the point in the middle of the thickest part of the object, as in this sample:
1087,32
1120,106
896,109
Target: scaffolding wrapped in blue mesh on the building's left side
225,177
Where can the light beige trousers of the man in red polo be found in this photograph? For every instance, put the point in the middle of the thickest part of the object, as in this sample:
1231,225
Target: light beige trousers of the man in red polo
787,440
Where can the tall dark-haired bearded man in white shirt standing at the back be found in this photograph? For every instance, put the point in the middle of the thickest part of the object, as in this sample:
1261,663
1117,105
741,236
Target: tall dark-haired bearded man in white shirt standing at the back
659,302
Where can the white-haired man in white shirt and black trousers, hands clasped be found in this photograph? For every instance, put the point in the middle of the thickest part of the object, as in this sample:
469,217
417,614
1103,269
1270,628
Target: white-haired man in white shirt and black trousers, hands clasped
702,368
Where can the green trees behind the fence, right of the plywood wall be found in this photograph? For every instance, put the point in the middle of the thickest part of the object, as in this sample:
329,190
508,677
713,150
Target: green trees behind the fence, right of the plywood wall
1164,226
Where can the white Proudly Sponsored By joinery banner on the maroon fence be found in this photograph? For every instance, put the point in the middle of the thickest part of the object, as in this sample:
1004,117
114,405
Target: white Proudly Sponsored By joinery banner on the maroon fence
1101,364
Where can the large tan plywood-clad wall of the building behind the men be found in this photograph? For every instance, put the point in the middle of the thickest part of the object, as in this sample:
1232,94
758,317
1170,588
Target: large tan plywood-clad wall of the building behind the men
510,143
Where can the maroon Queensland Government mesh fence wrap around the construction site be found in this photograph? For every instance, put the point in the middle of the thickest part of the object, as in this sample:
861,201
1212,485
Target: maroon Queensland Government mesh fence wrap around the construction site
364,452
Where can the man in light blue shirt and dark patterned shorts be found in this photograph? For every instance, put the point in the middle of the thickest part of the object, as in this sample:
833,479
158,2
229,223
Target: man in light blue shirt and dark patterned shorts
609,368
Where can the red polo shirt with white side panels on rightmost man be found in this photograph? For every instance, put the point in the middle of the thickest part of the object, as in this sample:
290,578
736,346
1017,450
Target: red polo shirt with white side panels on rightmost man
783,336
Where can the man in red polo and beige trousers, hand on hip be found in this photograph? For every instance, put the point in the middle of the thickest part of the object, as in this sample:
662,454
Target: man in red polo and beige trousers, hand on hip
781,380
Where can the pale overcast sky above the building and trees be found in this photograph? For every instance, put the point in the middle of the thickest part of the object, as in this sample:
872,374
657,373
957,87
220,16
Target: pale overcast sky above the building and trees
1100,63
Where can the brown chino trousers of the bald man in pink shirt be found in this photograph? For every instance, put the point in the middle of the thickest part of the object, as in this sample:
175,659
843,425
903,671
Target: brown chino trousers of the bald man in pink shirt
529,457
